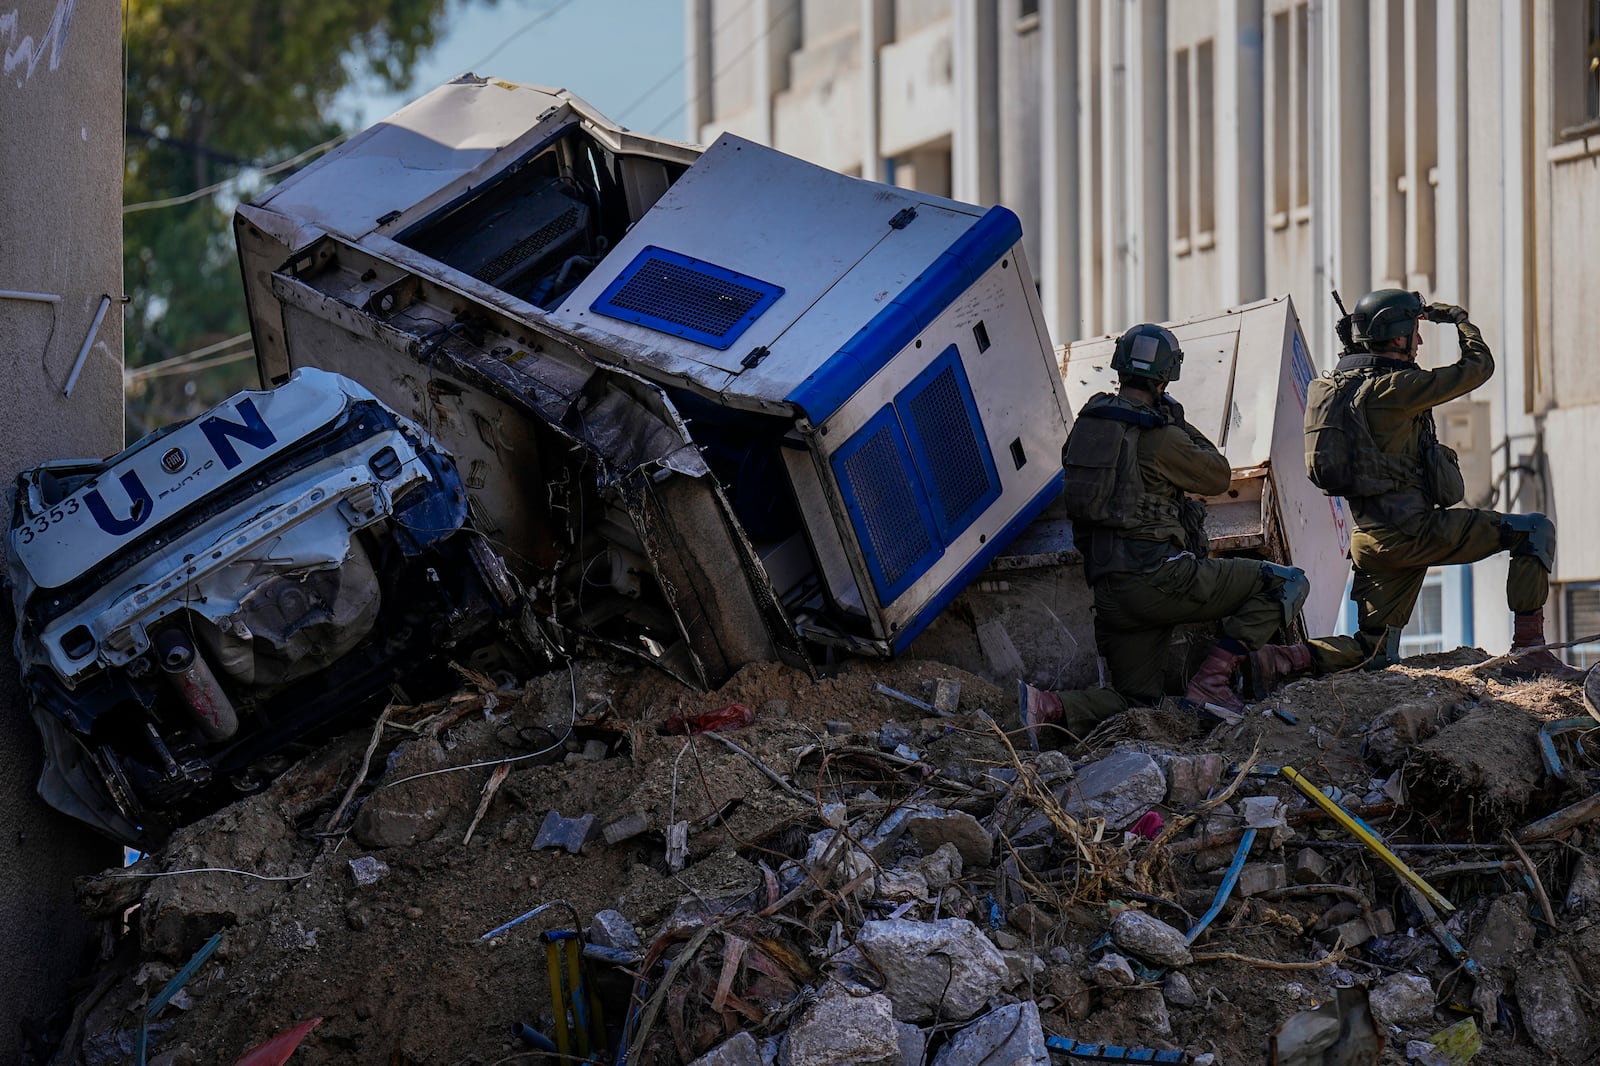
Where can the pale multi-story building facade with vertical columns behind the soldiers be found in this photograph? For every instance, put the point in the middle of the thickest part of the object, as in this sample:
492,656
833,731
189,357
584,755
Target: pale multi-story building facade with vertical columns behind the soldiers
1172,159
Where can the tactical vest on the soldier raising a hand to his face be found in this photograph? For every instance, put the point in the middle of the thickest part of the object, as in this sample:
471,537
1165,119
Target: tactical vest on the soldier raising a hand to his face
1342,455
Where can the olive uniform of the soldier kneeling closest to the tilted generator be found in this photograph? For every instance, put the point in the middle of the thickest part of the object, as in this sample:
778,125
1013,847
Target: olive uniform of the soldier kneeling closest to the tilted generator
1148,582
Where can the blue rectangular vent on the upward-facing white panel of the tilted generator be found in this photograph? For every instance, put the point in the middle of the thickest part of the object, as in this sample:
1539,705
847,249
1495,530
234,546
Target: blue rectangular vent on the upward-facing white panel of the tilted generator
689,299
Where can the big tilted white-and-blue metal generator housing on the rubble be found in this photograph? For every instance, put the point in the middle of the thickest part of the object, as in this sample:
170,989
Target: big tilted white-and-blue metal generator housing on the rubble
711,407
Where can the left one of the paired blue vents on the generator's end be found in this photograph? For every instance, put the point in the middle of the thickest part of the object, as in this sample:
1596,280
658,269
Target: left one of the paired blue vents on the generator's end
887,505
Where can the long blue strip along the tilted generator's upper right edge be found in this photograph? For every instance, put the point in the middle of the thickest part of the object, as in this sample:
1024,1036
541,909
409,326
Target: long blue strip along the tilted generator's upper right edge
826,390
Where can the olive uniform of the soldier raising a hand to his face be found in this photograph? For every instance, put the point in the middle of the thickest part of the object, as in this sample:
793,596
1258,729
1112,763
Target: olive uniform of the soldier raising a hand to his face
1401,534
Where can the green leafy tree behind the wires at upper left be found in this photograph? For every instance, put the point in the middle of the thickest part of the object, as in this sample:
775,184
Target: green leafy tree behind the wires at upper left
217,92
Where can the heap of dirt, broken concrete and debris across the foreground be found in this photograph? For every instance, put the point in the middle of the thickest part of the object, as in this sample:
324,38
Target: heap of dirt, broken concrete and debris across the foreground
870,868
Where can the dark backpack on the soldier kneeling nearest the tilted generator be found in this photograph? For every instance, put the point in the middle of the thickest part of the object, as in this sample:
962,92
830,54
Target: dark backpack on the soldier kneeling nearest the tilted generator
1102,463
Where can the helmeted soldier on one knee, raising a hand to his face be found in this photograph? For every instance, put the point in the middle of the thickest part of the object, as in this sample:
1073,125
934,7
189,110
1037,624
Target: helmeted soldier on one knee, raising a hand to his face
1370,438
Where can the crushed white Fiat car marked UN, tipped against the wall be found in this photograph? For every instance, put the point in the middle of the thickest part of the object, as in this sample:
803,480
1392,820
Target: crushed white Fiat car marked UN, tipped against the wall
230,588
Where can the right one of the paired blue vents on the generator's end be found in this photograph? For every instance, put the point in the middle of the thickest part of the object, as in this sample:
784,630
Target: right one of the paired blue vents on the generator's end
948,443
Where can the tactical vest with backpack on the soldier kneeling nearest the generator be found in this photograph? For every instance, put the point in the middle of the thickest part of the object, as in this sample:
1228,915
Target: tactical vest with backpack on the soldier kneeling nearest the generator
1118,523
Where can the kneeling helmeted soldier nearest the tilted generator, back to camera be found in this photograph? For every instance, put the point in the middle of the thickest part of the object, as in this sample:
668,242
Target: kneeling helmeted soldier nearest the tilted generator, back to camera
1132,462
